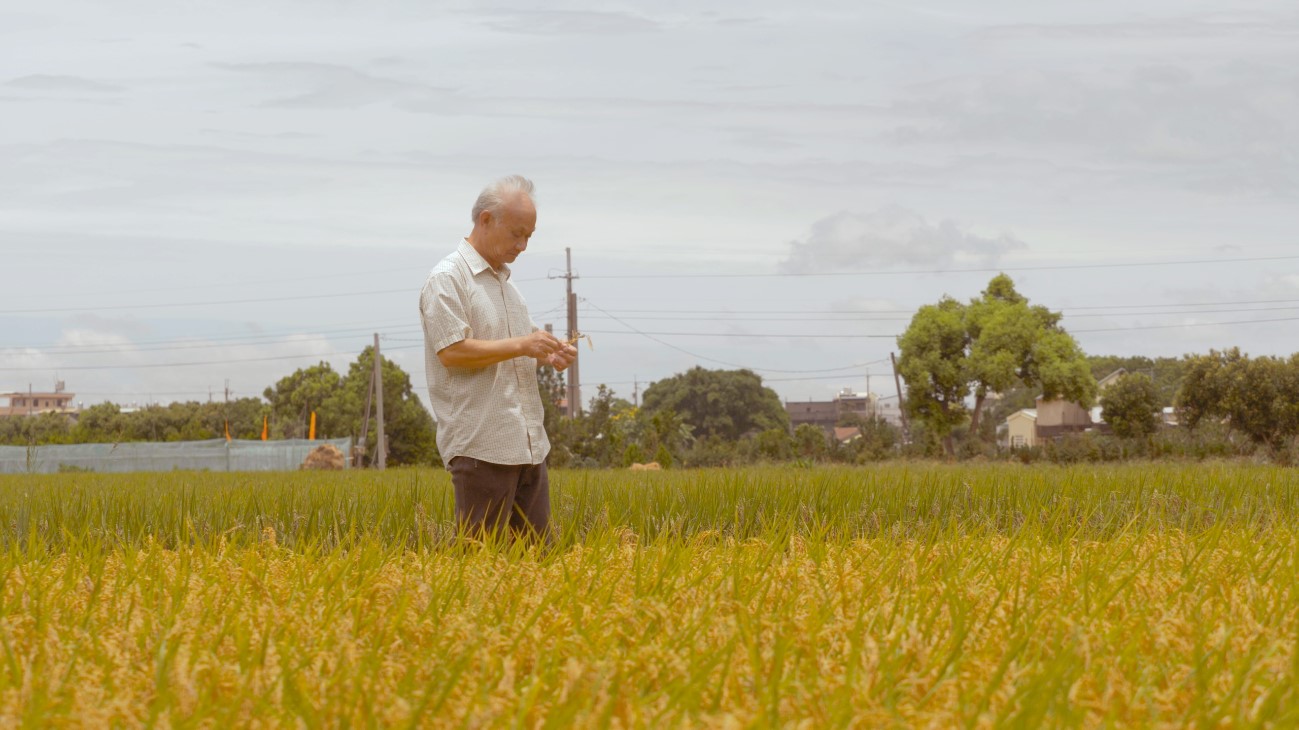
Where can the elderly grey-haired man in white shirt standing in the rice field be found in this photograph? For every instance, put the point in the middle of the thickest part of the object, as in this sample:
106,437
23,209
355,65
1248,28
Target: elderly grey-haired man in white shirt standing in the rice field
481,354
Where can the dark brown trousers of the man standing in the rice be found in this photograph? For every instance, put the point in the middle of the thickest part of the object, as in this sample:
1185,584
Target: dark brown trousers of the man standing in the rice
494,497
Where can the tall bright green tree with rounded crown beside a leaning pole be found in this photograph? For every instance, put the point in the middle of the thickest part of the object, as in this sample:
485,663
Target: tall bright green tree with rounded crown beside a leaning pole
997,342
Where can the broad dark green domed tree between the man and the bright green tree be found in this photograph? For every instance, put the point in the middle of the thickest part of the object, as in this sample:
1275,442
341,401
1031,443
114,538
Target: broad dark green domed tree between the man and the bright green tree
723,403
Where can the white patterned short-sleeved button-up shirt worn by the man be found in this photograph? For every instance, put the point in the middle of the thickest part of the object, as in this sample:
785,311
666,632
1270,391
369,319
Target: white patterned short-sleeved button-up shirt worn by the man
490,414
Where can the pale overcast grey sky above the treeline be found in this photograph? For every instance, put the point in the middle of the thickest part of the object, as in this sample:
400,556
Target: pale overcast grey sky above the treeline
208,195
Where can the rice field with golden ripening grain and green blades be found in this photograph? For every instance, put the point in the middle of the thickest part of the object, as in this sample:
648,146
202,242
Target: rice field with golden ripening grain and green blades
902,596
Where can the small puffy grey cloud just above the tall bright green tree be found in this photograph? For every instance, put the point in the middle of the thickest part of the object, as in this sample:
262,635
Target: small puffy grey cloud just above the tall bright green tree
889,237
